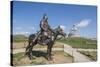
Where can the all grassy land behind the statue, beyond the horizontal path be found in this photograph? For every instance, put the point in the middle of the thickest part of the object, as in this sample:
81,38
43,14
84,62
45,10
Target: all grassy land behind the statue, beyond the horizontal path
76,42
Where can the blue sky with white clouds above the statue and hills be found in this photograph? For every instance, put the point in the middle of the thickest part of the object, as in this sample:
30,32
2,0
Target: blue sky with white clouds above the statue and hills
26,17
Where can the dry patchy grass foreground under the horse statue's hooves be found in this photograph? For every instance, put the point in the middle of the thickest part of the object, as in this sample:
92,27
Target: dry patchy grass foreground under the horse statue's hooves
58,58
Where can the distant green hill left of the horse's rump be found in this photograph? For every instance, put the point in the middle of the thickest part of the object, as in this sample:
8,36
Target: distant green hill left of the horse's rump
18,38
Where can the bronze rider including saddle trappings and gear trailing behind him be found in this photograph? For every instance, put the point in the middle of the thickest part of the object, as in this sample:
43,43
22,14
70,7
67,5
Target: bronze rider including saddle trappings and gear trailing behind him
45,32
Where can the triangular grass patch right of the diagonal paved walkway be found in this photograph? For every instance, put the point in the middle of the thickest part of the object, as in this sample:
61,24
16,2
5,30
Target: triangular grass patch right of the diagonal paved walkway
92,55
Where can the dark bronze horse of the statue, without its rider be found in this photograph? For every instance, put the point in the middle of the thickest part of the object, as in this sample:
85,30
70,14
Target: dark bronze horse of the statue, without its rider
49,42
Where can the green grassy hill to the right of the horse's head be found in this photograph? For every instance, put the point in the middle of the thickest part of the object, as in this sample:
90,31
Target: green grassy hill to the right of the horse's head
80,43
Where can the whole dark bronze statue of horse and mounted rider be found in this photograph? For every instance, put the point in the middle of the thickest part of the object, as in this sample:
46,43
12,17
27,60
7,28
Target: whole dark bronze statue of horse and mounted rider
46,36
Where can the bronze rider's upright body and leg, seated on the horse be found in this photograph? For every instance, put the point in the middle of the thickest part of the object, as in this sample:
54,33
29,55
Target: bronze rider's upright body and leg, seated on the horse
46,31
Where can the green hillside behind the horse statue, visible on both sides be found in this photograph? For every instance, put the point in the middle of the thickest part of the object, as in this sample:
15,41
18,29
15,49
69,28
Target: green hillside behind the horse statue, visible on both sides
76,42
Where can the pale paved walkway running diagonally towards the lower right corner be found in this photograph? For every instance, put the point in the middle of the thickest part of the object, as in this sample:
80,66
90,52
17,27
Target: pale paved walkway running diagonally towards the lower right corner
78,57
